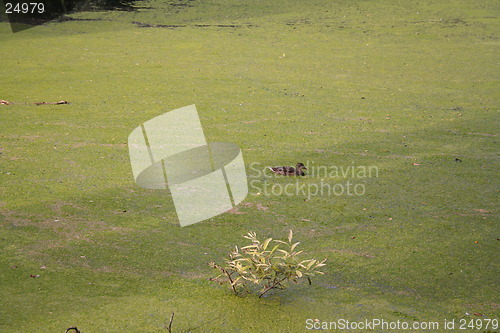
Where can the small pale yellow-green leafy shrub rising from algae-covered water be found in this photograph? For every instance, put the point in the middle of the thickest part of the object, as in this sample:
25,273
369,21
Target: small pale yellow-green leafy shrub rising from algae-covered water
270,264
